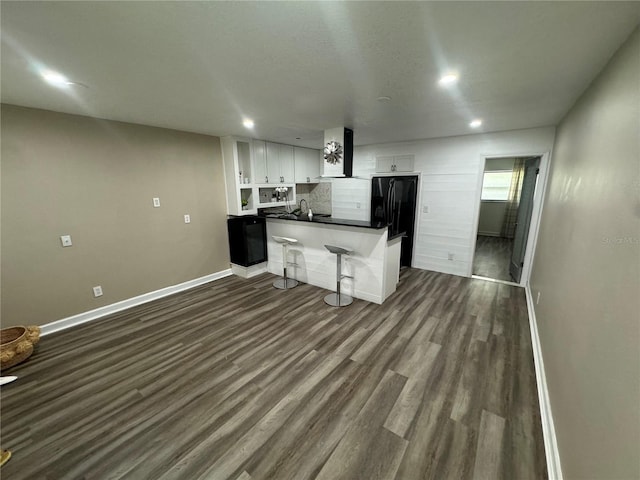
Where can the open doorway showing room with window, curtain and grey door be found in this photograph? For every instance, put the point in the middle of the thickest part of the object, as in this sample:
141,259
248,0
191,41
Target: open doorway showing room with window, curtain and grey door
506,206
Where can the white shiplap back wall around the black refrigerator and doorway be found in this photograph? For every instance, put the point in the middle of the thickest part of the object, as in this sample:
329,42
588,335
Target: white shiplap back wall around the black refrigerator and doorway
450,188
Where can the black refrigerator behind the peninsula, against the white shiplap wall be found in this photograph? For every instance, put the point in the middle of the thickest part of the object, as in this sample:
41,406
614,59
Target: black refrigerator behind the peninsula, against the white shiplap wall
393,201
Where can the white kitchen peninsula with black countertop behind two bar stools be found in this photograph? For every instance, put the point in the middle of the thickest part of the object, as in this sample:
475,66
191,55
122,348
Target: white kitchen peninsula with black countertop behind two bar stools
373,266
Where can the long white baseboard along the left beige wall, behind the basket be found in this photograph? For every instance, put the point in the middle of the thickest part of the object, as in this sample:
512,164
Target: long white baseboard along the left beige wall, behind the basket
91,315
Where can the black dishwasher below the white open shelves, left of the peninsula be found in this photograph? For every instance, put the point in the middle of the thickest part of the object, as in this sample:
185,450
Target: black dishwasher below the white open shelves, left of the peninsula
247,240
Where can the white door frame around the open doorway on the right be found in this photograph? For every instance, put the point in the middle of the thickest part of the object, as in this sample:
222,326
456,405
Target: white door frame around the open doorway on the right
536,214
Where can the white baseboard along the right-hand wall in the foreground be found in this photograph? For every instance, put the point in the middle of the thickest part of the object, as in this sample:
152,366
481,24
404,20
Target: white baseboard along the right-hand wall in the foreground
554,468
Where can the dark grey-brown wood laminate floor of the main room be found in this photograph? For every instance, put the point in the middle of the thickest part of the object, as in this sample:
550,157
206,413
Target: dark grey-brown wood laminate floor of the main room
237,380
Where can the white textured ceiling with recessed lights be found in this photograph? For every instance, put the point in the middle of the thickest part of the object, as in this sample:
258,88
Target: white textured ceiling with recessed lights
298,68
